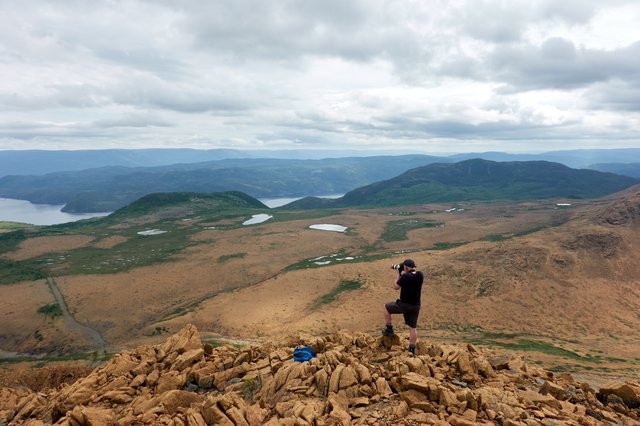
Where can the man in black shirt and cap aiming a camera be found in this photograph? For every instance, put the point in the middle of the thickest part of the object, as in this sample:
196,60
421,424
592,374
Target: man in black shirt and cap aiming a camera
409,282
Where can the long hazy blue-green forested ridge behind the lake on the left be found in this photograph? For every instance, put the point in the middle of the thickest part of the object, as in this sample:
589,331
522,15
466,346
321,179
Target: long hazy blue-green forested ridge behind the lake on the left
110,188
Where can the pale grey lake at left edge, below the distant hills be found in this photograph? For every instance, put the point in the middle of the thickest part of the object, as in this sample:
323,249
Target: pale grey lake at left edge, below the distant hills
38,214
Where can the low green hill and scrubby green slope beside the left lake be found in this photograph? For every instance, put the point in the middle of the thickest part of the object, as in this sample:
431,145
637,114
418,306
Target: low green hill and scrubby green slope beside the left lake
177,216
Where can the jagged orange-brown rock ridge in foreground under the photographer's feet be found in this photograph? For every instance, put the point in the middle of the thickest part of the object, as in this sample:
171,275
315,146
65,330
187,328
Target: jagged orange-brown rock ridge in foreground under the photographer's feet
354,379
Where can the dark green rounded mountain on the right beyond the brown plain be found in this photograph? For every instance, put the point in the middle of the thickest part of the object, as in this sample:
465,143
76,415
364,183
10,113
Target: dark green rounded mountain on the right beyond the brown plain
479,180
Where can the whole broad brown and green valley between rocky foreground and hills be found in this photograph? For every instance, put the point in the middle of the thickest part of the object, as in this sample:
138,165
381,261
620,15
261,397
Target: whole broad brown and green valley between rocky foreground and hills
554,280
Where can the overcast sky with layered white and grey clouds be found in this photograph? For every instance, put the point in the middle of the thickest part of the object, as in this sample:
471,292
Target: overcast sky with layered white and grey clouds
430,76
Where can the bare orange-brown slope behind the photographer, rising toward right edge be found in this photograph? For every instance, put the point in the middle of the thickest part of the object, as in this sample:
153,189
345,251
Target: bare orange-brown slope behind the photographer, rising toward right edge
577,279
